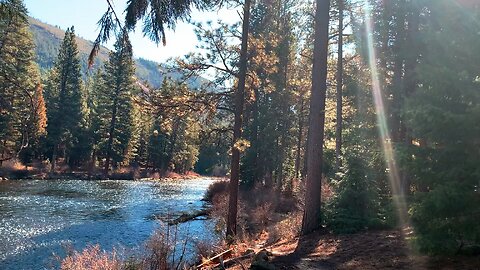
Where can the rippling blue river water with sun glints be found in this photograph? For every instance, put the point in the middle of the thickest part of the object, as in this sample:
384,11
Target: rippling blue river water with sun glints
40,218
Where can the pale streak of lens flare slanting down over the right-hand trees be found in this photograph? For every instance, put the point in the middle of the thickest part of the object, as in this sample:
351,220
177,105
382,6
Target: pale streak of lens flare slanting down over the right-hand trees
389,155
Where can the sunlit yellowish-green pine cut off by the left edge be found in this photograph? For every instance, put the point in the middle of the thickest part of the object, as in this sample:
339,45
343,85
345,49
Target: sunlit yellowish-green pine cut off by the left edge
20,121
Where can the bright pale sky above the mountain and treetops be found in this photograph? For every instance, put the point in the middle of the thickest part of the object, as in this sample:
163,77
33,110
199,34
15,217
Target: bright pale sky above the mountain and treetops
84,15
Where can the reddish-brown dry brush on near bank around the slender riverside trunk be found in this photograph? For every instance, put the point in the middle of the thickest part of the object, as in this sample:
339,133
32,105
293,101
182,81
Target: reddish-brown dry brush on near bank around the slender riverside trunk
265,215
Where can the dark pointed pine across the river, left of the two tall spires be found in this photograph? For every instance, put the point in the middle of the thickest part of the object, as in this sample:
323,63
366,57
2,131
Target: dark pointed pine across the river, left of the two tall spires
65,105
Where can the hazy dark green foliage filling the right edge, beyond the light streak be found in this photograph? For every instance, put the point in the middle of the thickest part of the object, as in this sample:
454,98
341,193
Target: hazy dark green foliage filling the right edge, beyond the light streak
444,114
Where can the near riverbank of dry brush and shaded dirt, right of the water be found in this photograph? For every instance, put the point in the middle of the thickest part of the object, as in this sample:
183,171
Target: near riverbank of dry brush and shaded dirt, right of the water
269,223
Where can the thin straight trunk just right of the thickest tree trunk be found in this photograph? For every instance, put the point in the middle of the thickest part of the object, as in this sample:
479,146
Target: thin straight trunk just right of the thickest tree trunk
338,130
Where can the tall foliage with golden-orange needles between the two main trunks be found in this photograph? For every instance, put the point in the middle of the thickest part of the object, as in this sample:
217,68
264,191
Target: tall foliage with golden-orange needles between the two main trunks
269,123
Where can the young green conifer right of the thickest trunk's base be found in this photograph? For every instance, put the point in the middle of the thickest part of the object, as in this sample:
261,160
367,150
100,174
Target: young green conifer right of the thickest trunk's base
362,198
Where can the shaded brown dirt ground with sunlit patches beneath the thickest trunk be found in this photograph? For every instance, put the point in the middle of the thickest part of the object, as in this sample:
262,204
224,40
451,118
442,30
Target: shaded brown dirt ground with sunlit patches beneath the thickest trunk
368,250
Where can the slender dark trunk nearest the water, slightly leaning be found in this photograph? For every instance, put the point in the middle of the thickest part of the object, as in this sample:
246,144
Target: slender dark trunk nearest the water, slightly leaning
237,127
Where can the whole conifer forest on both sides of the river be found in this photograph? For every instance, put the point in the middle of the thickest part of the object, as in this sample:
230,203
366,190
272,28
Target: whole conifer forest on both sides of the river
359,116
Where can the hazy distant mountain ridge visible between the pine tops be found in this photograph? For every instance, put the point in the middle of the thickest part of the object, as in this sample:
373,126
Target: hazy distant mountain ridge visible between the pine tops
48,38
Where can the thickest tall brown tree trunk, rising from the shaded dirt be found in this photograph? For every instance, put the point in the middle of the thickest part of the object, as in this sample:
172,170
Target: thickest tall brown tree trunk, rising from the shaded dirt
311,216
